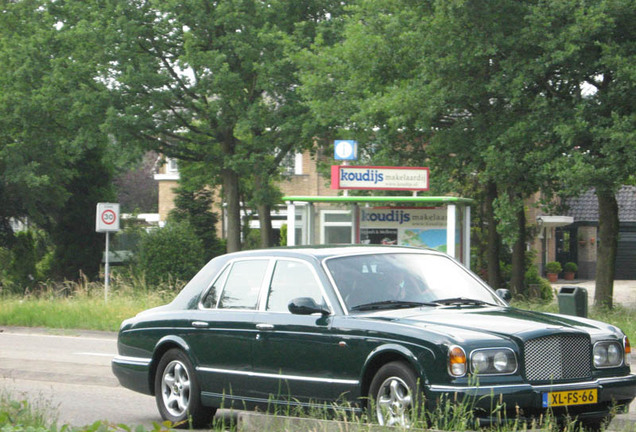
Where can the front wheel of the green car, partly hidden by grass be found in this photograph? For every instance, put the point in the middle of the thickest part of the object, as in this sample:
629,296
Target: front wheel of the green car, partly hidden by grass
395,397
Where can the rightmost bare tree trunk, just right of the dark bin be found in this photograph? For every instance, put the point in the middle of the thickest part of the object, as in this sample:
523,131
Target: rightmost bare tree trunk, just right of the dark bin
608,244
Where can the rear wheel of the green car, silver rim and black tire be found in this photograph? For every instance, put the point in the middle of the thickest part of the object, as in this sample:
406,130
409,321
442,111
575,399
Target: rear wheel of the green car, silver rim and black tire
178,394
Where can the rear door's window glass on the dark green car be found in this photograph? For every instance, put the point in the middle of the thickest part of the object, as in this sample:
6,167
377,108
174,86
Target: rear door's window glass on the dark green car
243,284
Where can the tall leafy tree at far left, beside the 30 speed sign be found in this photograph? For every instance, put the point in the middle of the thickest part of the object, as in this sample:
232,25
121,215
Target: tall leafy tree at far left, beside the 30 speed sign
52,168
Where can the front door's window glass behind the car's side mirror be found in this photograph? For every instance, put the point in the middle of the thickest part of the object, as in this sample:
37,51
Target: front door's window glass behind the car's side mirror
291,279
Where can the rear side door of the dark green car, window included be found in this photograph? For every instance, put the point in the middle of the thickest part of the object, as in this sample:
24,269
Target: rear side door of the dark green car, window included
223,332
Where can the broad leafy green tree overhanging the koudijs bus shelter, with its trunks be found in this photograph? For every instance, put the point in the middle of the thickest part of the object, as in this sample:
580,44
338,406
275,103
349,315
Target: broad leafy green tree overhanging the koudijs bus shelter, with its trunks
438,83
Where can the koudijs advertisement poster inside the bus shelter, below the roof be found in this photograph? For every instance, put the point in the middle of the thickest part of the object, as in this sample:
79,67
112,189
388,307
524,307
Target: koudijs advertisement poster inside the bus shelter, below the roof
419,227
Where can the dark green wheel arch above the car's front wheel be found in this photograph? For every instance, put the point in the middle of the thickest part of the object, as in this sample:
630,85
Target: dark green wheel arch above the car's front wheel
386,354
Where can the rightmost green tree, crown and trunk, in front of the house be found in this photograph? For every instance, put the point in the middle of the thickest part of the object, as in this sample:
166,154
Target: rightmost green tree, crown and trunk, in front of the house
588,50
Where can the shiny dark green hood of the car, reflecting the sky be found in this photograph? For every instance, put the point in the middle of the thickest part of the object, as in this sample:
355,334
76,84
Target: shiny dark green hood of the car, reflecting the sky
506,322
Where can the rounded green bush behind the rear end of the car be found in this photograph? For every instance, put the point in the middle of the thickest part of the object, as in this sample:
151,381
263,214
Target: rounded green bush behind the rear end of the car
174,252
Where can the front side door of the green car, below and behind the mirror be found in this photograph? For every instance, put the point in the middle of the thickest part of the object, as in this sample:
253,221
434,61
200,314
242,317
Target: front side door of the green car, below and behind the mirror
295,356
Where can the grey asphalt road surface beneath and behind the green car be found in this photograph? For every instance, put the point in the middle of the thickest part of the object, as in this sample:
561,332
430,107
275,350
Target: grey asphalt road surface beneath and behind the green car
69,374
